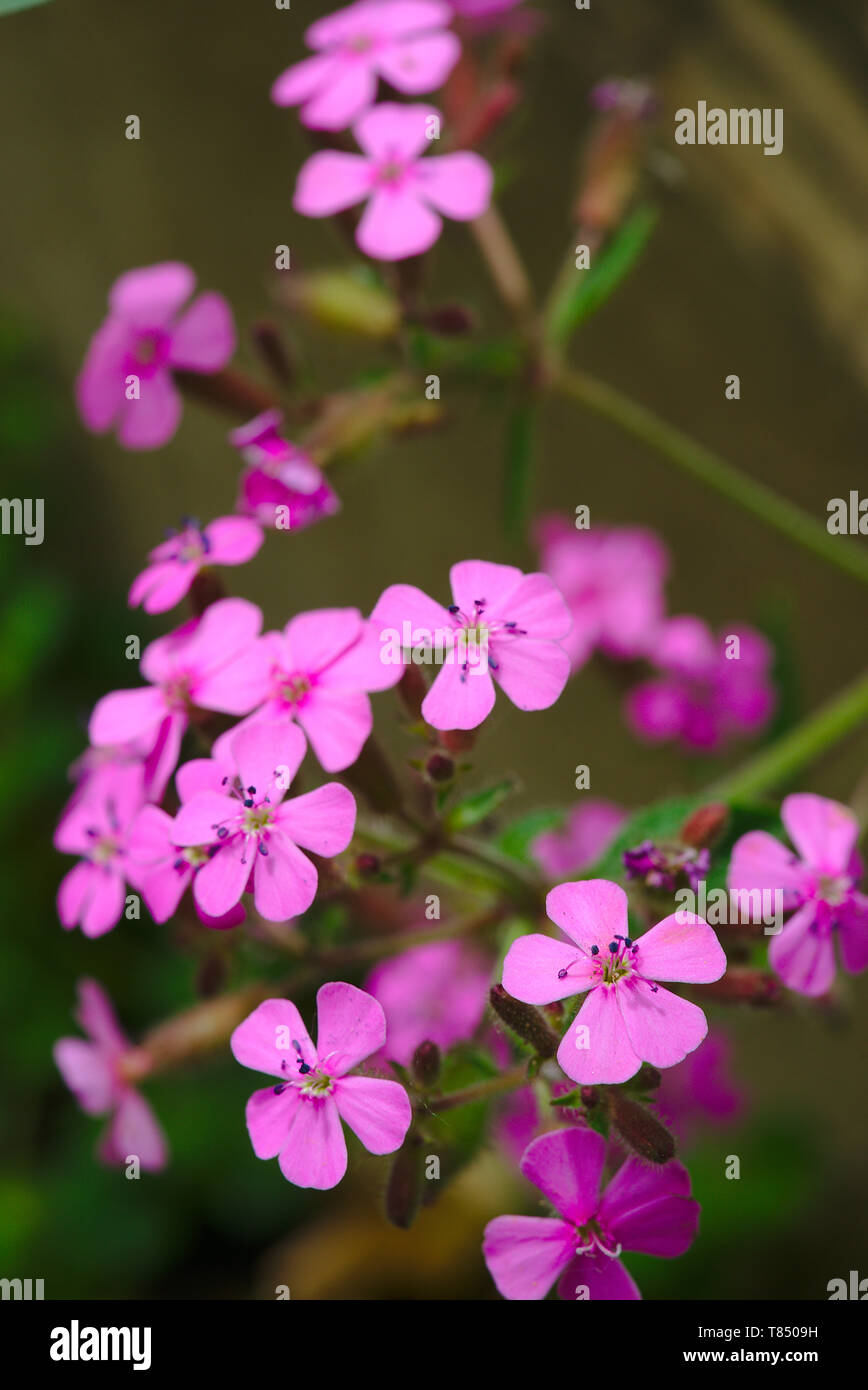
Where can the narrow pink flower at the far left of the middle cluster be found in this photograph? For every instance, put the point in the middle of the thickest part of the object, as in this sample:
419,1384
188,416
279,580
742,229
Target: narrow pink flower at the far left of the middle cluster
95,825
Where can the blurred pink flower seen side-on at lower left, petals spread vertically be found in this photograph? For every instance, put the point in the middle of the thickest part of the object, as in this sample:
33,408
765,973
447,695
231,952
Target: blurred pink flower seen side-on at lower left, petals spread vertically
98,1074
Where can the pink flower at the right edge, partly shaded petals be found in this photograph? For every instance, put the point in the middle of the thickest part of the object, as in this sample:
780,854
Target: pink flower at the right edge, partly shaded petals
820,883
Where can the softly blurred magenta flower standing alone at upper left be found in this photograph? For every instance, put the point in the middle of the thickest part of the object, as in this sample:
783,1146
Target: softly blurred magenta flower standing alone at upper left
145,337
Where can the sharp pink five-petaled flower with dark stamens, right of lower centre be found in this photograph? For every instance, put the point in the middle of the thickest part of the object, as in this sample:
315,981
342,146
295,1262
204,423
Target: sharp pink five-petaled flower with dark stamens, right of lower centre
627,1018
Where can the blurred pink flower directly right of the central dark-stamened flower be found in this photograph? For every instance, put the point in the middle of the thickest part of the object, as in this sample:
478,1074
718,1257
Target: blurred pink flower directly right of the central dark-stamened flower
613,580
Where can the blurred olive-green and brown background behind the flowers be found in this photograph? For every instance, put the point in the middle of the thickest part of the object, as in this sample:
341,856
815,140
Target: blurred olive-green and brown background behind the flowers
757,268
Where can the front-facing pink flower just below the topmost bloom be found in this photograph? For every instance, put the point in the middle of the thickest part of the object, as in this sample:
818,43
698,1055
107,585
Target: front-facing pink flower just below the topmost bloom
407,194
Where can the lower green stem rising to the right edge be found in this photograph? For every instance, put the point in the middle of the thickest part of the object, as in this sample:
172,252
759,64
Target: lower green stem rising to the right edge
801,747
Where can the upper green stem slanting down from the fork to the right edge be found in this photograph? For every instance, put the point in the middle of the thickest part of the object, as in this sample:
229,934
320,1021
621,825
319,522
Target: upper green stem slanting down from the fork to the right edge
714,472
